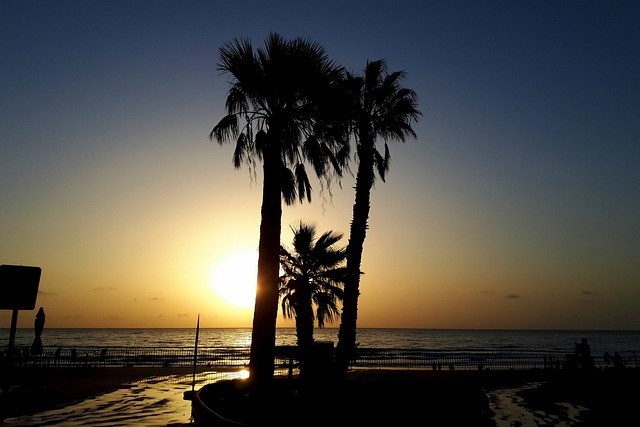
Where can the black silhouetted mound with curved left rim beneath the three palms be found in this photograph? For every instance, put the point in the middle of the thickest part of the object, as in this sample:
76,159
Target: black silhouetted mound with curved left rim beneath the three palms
367,398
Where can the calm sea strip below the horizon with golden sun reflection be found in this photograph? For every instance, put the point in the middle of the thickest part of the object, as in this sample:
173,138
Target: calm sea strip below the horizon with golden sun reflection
450,340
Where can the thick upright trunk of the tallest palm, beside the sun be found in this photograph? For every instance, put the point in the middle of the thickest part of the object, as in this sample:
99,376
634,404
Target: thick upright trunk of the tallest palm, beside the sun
261,363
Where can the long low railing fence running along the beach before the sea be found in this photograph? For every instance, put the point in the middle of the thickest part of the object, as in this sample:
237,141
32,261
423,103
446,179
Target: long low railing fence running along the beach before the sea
286,357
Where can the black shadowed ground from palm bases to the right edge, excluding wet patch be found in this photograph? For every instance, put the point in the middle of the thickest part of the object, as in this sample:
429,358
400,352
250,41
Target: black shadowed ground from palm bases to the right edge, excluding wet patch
442,398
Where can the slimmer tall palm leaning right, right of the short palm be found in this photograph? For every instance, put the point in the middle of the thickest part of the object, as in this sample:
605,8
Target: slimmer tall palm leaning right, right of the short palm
381,107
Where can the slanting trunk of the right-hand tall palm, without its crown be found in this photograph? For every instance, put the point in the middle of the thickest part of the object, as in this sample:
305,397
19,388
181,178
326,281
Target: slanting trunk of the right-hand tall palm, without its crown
345,350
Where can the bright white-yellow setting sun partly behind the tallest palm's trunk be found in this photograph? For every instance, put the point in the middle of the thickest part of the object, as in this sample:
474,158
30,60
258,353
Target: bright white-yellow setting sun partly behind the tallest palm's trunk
233,278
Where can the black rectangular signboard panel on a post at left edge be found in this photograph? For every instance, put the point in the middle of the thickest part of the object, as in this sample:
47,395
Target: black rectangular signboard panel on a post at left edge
19,287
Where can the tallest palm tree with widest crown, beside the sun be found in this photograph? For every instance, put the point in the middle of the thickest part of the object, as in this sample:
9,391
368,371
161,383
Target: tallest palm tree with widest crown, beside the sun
278,114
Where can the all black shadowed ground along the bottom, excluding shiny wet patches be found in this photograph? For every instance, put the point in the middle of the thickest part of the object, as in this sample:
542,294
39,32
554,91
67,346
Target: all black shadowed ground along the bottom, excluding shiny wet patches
370,397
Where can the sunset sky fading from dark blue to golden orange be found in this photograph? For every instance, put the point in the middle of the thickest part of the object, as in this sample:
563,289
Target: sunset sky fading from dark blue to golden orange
517,206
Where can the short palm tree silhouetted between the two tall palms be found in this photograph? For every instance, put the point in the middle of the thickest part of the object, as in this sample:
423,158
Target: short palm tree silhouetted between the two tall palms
313,275
